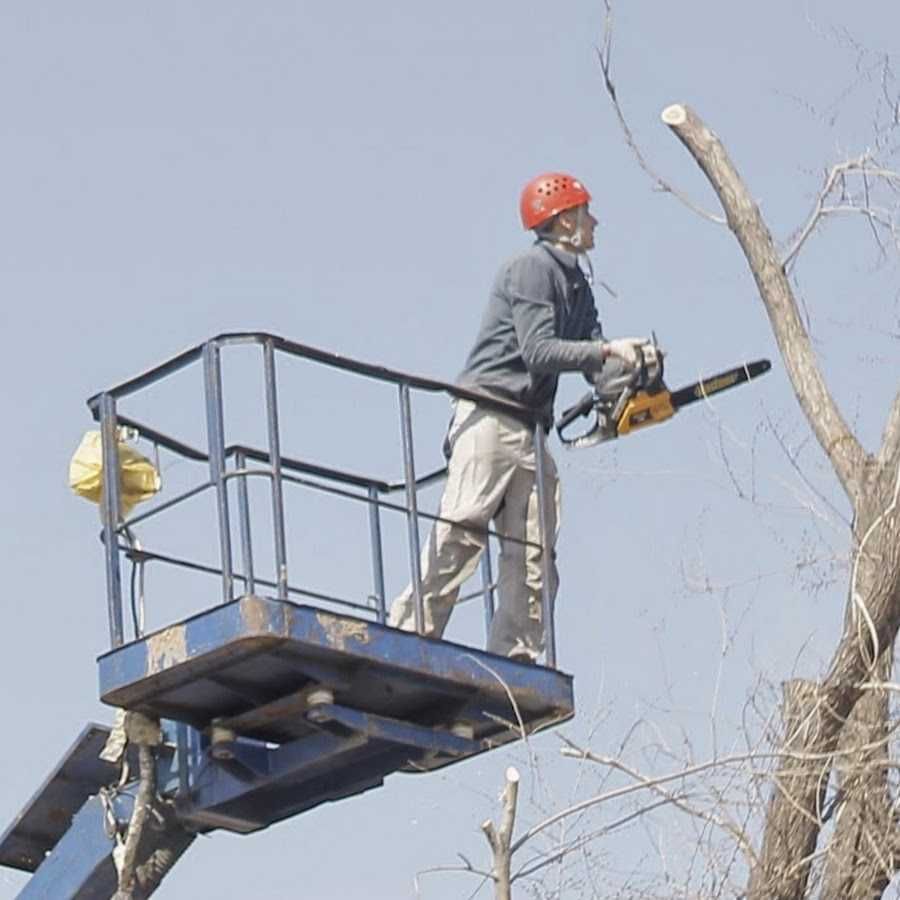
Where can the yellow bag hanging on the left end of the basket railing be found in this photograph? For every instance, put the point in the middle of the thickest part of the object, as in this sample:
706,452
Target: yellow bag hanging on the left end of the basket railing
138,478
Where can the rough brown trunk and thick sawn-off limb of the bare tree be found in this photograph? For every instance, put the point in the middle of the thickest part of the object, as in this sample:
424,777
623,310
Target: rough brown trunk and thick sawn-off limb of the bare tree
817,713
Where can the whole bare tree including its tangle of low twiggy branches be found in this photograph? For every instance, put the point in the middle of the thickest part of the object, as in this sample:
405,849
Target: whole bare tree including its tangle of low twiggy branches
817,815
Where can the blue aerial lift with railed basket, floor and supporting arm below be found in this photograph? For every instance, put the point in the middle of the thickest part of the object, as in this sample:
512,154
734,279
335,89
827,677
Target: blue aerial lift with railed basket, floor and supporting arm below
268,705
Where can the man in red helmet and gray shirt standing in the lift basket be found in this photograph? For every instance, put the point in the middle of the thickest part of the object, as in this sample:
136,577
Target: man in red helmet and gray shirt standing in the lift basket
540,321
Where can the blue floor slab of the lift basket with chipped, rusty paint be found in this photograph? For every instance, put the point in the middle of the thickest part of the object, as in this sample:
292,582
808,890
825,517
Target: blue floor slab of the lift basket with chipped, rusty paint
253,663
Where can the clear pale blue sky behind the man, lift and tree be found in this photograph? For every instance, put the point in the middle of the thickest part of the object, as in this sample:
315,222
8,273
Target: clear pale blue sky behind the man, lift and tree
347,175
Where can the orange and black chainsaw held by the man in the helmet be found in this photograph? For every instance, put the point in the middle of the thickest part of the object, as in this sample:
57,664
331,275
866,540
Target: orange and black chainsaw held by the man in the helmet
639,398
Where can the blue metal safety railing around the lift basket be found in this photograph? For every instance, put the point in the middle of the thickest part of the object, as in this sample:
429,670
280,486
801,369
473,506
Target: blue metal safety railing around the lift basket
282,470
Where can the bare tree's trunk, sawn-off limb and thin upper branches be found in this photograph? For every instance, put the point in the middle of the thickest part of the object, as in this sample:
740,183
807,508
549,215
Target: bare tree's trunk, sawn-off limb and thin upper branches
836,726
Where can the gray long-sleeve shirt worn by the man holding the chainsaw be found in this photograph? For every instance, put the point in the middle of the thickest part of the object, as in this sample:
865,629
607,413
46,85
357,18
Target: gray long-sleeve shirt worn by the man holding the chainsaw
540,320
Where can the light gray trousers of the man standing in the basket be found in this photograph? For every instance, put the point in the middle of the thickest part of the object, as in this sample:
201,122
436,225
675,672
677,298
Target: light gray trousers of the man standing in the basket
491,476
